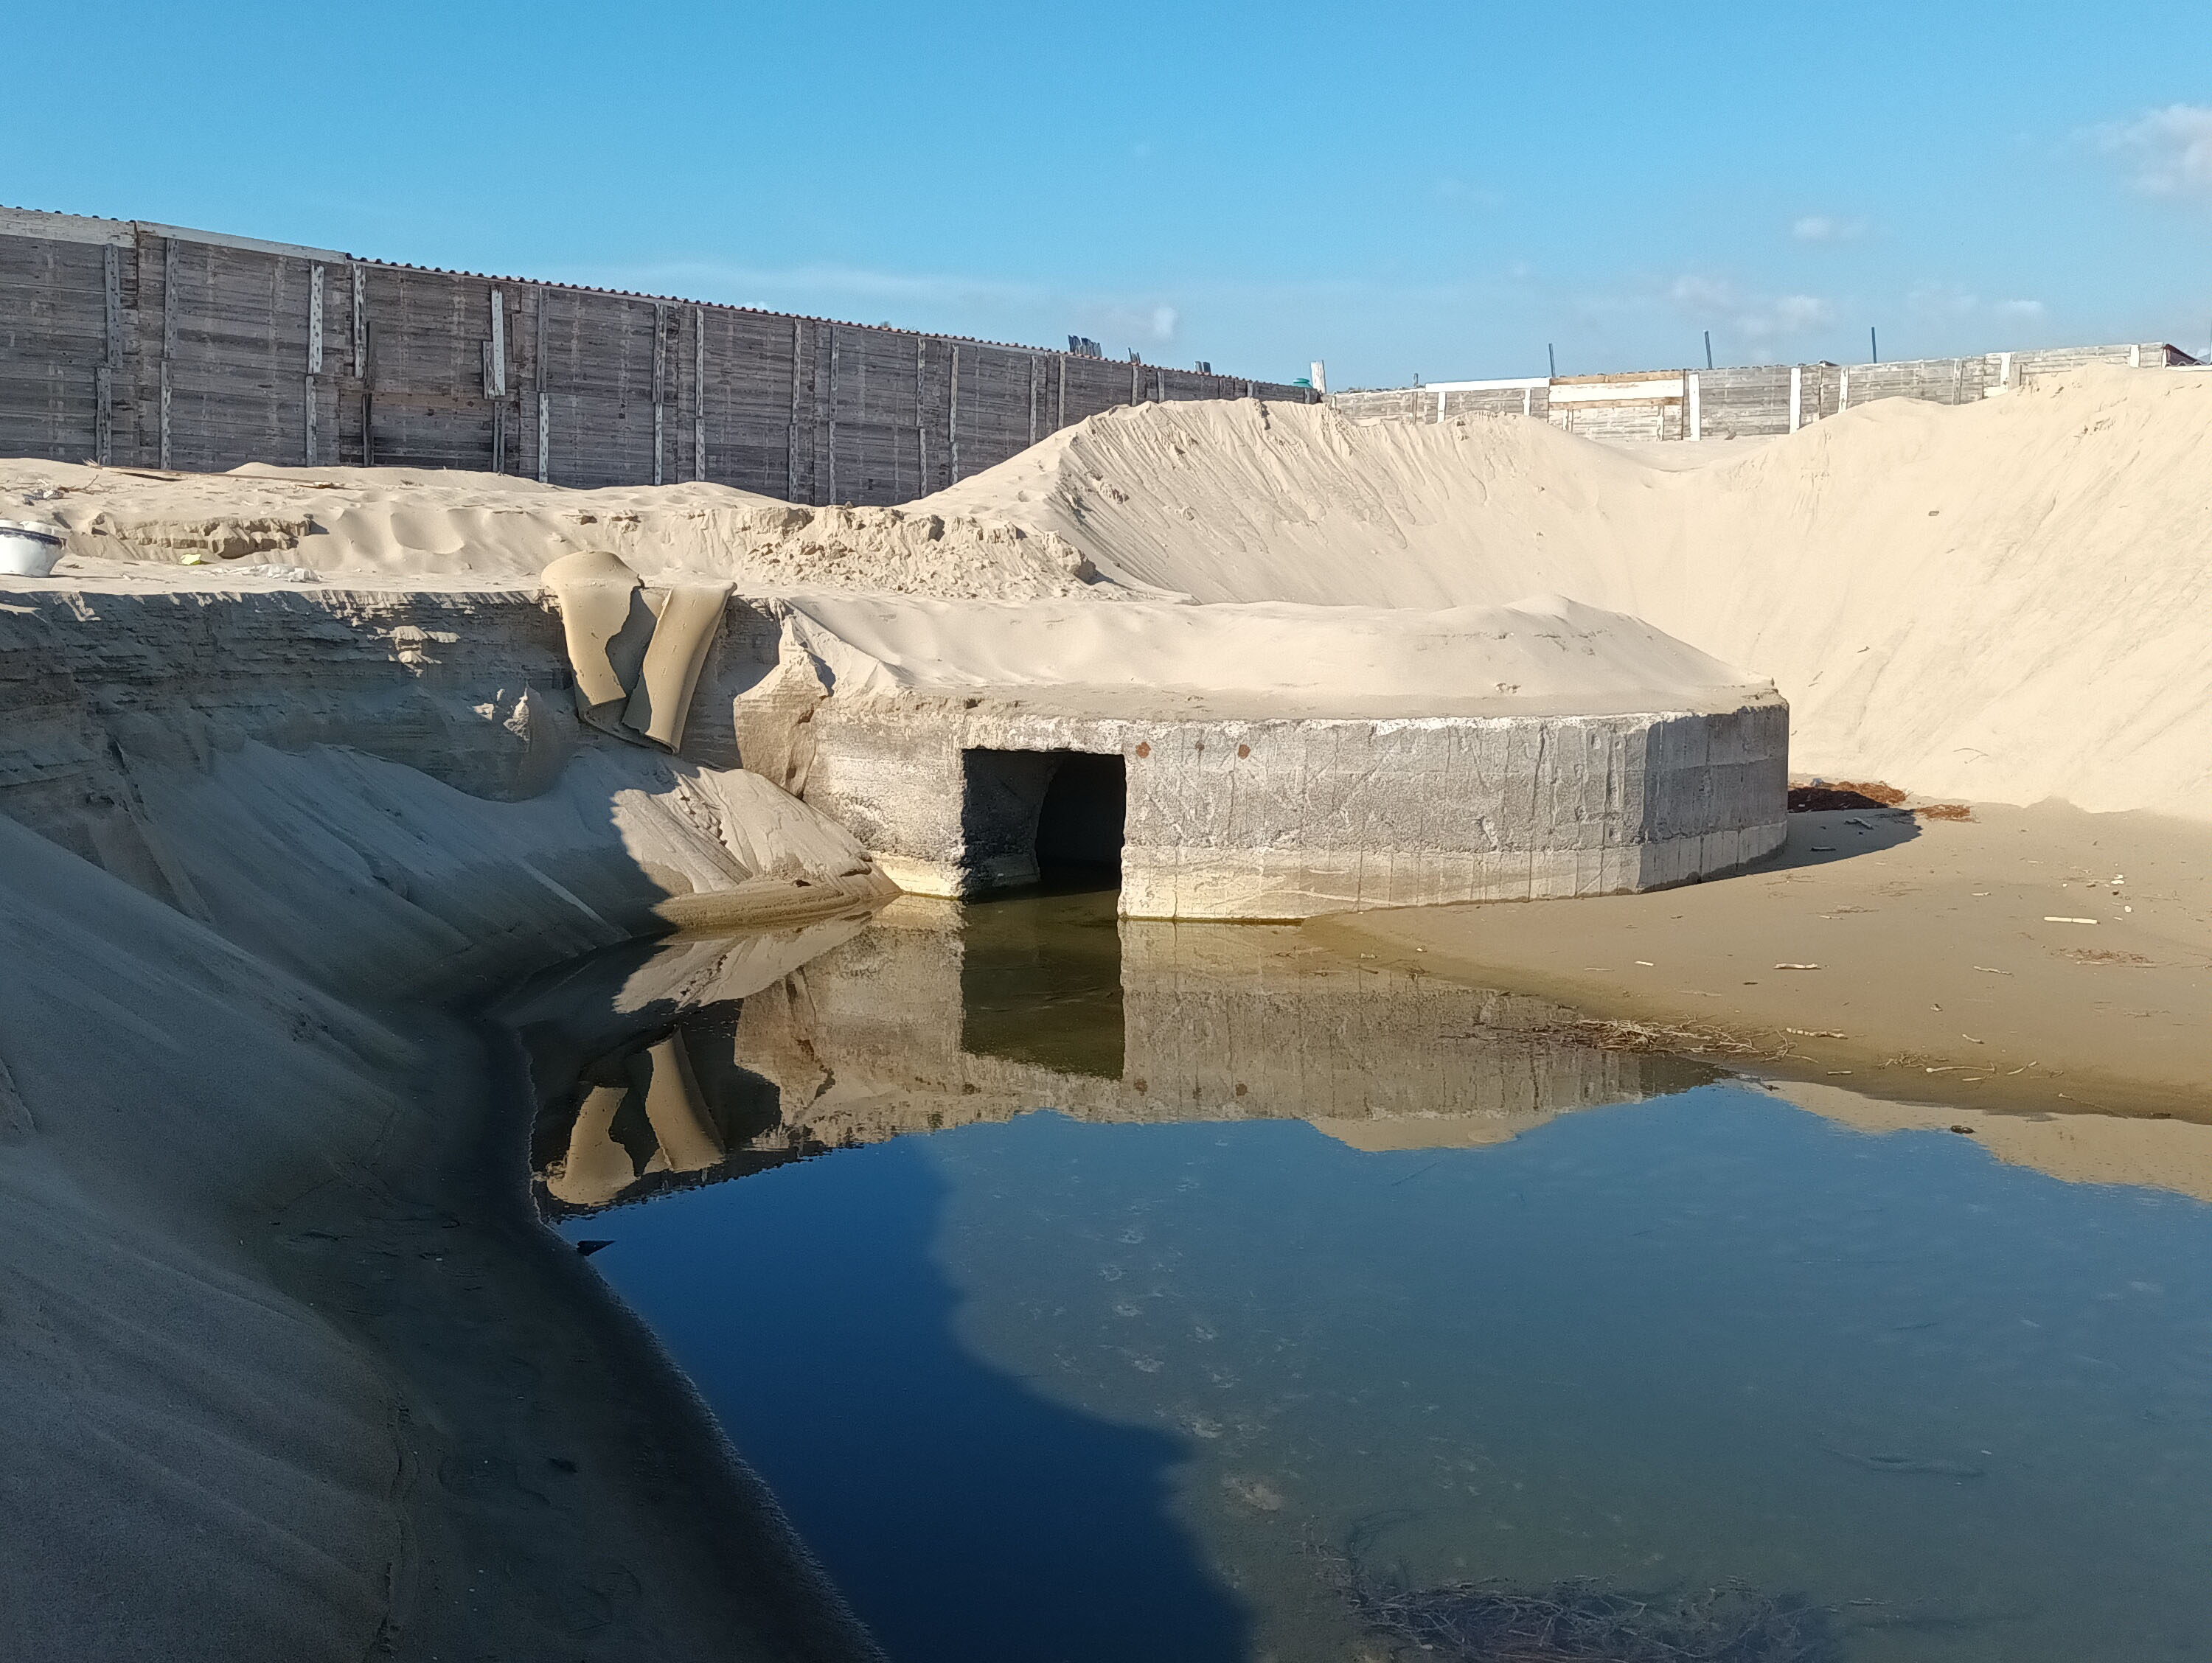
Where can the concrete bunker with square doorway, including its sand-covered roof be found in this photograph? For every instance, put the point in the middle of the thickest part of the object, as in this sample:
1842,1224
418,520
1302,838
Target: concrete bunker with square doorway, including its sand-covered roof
1390,786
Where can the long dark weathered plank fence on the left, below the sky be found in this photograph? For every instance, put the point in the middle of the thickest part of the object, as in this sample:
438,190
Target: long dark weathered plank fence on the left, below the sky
154,346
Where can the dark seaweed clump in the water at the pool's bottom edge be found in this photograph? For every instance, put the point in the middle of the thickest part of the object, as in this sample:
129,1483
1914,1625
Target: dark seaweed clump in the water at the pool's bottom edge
1587,1622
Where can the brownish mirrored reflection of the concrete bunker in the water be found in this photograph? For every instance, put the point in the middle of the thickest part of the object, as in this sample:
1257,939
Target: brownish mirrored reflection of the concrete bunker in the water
713,1060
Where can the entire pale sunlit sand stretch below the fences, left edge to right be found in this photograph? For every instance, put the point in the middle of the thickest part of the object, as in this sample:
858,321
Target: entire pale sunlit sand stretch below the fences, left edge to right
2001,603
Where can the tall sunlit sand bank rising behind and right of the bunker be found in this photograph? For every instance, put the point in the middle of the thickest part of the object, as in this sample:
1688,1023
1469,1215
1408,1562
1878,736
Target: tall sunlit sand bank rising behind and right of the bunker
2001,603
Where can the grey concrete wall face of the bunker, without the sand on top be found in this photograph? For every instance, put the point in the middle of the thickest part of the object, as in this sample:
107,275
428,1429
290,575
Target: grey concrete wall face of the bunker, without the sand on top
1293,819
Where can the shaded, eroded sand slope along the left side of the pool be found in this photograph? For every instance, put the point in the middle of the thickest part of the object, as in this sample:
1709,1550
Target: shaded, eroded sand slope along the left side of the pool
269,1399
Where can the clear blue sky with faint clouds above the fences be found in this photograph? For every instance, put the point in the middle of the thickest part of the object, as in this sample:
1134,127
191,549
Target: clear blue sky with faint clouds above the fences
1399,189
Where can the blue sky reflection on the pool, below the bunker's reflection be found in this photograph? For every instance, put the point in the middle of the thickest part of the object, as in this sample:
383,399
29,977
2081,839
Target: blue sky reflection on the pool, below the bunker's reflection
1087,1392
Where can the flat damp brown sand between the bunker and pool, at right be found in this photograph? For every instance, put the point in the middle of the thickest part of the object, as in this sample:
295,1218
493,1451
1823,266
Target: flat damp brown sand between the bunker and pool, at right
1892,956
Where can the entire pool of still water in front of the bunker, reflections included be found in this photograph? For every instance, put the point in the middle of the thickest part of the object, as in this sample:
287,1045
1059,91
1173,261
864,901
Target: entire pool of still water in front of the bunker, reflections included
1158,1284
